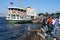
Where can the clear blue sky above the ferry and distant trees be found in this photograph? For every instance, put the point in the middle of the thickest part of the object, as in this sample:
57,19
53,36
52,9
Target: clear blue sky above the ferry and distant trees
41,6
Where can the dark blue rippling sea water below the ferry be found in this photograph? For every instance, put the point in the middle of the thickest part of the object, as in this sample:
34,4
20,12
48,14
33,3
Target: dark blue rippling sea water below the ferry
12,32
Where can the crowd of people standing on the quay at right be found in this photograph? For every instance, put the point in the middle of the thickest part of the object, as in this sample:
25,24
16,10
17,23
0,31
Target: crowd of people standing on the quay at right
50,24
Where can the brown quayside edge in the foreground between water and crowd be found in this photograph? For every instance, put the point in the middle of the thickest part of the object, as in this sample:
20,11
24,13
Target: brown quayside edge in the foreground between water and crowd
35,34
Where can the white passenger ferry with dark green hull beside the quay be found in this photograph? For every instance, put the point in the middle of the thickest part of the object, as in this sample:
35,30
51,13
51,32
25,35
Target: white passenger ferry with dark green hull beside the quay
19,15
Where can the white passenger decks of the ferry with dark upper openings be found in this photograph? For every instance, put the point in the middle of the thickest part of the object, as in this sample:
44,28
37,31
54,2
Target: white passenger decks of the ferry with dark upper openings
17,14
